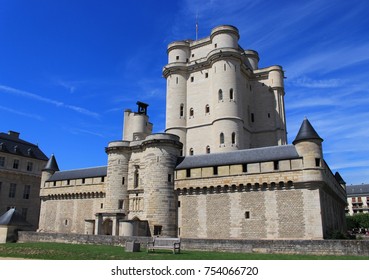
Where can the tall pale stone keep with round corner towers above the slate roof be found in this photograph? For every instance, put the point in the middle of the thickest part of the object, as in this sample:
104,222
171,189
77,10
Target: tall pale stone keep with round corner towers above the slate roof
218,99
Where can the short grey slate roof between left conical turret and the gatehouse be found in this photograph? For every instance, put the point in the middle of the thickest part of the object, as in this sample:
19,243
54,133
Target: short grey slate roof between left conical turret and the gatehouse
92,172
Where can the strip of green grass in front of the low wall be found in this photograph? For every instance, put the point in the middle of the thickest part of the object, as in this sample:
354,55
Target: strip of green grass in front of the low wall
61,251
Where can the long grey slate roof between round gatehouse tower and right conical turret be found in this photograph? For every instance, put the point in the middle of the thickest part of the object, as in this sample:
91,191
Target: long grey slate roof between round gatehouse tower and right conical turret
239,157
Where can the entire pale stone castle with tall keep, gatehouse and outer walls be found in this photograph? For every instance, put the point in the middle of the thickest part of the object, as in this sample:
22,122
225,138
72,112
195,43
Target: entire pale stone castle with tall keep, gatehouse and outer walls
222,169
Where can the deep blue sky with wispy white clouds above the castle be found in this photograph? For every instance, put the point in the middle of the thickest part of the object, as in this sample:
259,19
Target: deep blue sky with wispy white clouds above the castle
68,69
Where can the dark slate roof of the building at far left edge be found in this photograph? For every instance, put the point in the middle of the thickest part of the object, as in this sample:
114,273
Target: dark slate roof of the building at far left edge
9,143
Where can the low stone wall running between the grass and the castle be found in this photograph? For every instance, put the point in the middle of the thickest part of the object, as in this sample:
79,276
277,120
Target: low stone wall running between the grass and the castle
308,247
